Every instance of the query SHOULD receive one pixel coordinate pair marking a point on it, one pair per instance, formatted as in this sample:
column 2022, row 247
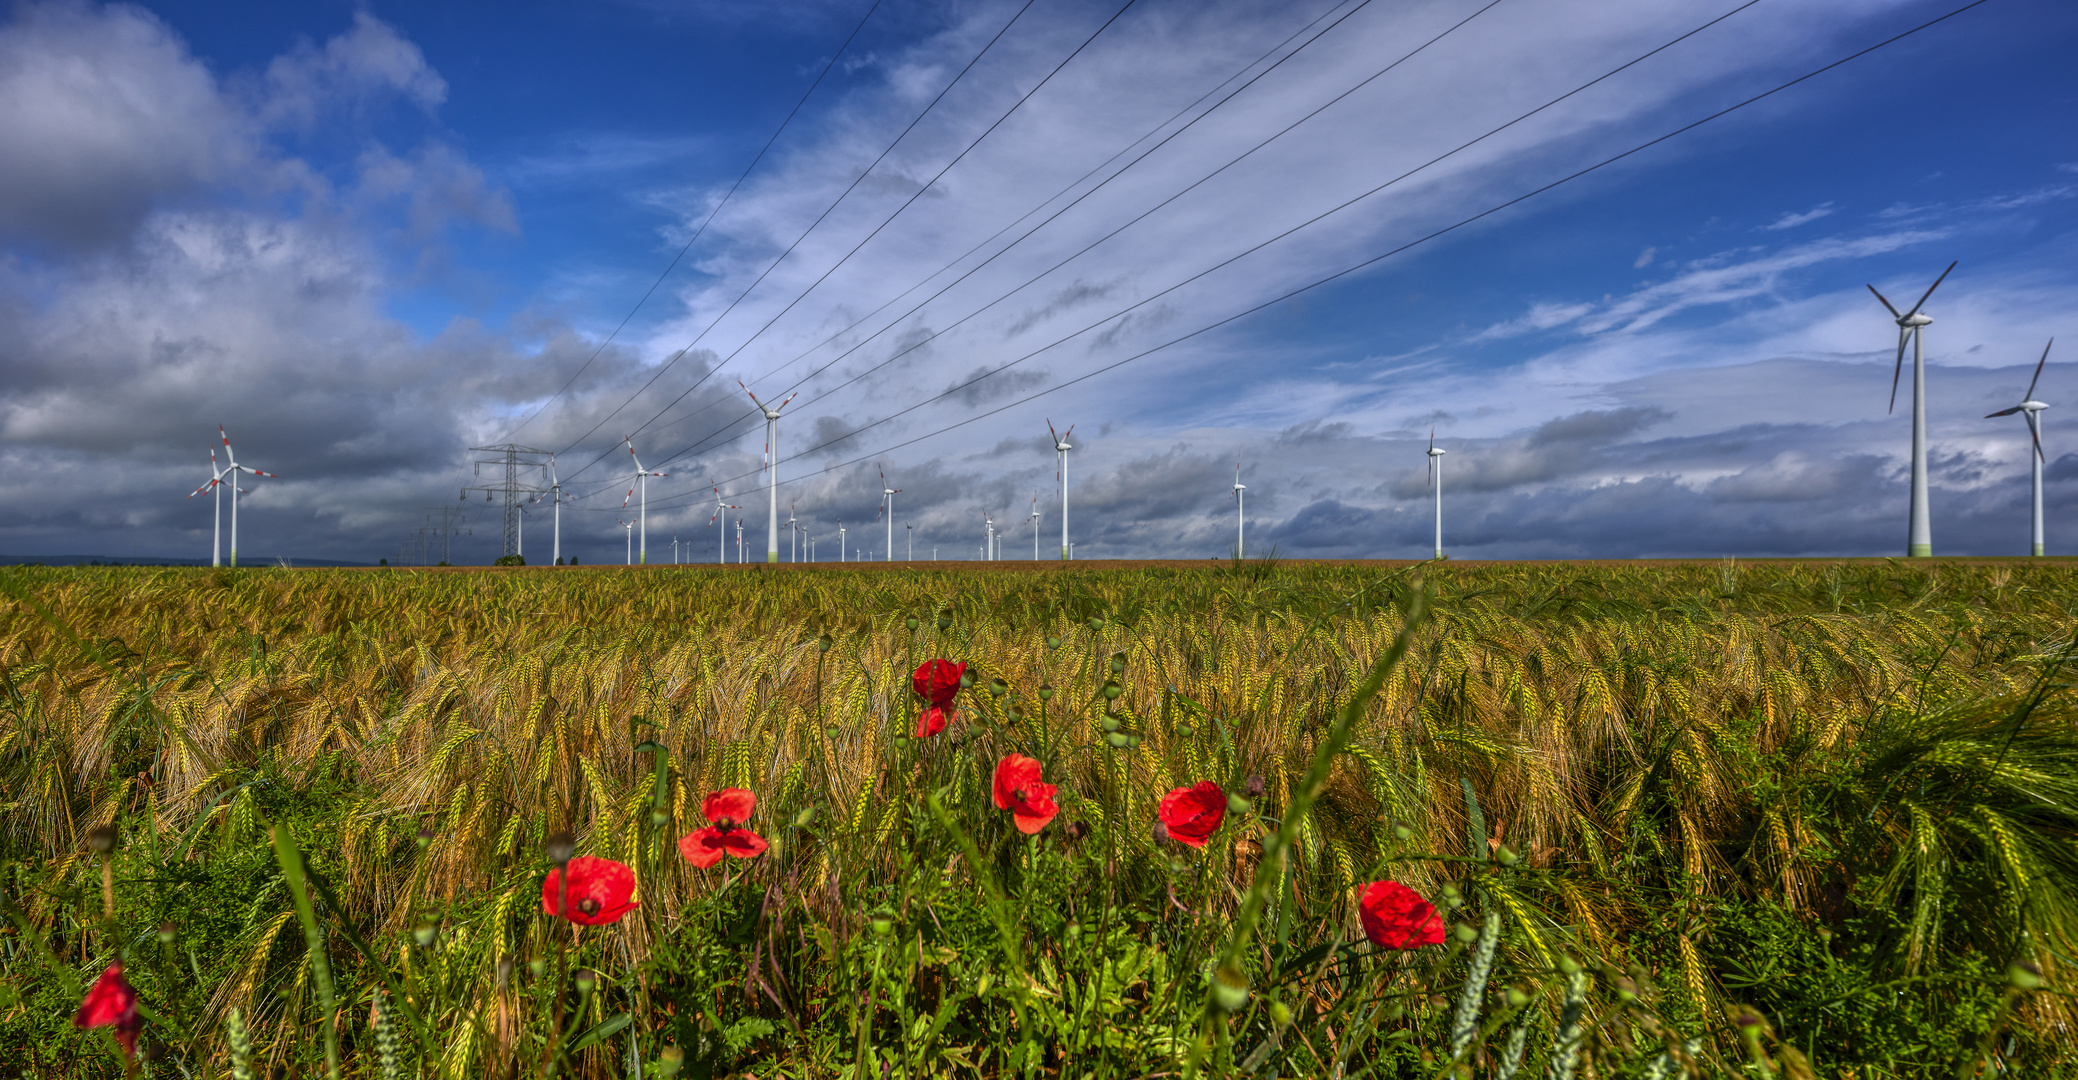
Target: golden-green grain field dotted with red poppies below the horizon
column 1688, row 819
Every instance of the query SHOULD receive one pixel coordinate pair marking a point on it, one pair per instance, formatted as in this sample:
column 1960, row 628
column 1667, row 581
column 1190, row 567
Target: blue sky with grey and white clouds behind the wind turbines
column 1298, row 238
